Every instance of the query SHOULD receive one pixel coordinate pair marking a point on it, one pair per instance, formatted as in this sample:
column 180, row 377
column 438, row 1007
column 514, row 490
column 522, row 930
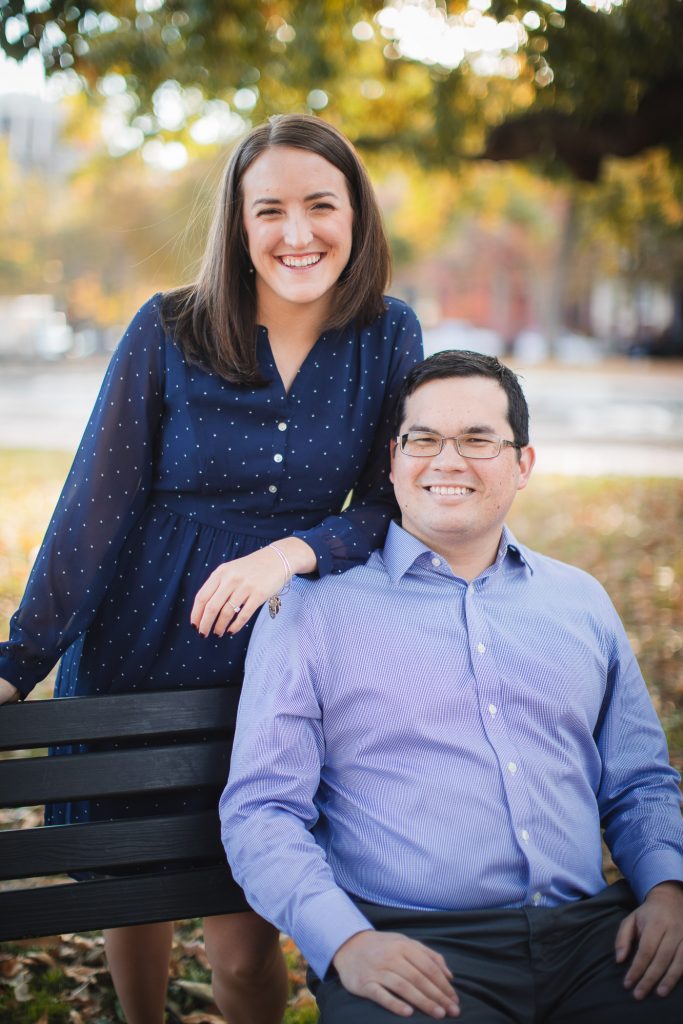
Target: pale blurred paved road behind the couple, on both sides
column 622, row 418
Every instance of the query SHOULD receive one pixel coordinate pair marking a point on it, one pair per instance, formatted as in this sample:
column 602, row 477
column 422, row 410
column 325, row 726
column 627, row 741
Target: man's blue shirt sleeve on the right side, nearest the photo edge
column 639, row 796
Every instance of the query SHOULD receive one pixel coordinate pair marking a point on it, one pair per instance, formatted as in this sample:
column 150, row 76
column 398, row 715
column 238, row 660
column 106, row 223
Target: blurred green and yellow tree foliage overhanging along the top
column 614, row 77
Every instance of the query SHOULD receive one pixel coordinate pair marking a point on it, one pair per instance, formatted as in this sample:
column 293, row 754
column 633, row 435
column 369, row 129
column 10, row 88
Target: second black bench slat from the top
column 25, row 782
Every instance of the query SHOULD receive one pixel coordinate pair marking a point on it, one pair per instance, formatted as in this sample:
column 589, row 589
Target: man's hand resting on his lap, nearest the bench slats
column 399, row 973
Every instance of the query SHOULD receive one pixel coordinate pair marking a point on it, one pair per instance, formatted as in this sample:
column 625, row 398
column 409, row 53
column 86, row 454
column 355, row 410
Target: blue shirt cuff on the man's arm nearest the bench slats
column 324, row 924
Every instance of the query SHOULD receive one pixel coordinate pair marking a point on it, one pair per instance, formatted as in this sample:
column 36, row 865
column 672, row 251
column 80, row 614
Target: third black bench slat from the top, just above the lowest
column 93, row 846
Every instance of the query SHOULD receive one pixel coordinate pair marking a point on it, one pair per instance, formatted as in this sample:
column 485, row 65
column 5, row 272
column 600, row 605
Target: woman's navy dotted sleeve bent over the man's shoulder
column 347, row 540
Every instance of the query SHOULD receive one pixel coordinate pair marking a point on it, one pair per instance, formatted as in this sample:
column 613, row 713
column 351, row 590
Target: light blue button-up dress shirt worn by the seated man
column 424, row 743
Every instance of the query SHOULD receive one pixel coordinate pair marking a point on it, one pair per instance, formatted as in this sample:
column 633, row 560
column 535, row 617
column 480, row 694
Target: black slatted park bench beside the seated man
column 194, row 733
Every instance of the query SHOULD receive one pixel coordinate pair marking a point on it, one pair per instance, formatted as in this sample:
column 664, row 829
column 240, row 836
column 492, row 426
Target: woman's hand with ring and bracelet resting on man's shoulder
column 236, row 590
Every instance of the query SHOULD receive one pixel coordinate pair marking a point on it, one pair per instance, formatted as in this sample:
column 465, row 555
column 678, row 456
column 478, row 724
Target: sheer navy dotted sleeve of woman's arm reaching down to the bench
column 104, row 496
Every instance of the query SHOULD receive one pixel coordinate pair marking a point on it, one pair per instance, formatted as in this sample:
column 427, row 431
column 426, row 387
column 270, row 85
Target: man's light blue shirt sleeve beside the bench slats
column 268, row 808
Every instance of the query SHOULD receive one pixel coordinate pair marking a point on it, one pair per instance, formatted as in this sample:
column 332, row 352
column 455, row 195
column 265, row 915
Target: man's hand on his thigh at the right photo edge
column 657, row 926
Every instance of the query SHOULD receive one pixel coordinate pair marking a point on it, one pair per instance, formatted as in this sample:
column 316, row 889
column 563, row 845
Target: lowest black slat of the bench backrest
column 115, row 903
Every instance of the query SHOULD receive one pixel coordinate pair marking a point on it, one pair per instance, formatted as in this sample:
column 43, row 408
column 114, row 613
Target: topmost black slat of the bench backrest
column 36, row 723
